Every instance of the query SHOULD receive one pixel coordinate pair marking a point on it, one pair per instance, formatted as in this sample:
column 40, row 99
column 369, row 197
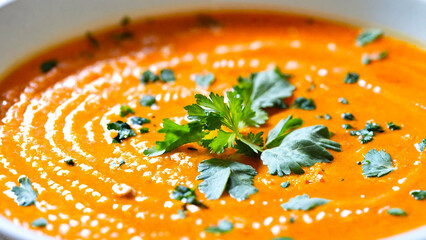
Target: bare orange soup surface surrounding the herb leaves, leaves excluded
column 63, row 113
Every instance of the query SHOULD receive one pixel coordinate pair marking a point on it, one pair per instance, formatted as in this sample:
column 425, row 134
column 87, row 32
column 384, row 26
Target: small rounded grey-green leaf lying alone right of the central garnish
column 377, row 164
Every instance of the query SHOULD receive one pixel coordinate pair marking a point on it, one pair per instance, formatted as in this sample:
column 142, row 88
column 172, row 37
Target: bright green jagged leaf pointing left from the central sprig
column 176, row 135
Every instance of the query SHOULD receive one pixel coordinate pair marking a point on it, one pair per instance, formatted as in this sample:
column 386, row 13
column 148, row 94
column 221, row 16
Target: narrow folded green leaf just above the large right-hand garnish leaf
column 280, row 131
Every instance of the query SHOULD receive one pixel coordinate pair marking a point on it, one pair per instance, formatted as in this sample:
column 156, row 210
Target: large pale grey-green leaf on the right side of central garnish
column 301, row 148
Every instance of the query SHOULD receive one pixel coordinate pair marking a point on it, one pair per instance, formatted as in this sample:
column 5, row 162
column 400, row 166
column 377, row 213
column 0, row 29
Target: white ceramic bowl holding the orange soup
column 30, row 26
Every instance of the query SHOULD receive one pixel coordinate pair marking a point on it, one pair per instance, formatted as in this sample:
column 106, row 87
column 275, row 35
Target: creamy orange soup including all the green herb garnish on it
column 228, row 125
